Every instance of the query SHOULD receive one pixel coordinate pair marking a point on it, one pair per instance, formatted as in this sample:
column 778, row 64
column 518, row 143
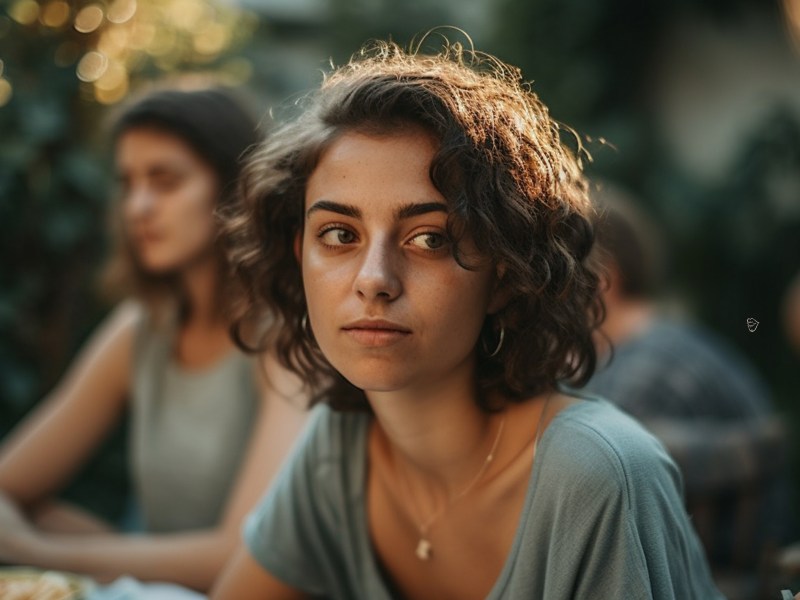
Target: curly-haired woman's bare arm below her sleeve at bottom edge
column 244, row 579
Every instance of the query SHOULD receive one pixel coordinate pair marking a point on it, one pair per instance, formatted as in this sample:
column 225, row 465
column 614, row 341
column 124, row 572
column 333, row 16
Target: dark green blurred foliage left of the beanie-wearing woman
column 53, row 191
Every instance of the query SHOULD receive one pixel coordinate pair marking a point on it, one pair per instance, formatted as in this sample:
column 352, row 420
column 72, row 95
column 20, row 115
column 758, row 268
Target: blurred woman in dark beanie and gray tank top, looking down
column 209, row 424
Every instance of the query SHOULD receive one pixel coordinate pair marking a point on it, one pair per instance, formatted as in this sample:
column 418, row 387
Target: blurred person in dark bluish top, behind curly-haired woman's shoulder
column 697, row 394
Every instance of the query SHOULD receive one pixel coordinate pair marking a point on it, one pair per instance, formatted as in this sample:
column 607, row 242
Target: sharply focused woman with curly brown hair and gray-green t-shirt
column 424, row 236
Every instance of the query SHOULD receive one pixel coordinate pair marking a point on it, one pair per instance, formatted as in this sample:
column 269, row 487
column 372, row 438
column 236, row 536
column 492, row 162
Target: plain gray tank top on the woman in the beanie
column 189, row 432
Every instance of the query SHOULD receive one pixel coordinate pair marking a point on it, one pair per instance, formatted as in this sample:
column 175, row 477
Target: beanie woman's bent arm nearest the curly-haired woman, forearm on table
column 192, row 558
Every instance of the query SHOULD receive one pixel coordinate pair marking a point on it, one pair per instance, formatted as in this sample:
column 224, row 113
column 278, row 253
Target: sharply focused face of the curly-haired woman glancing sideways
column 388, row 304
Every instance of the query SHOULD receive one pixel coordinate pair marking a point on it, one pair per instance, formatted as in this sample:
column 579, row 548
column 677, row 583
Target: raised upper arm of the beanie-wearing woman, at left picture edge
column 46, row 449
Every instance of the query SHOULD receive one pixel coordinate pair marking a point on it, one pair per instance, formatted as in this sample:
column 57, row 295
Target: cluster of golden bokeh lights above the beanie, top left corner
column 114, row 43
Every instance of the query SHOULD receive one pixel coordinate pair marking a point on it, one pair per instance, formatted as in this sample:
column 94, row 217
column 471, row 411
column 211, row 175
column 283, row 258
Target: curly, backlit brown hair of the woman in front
column 512, row 186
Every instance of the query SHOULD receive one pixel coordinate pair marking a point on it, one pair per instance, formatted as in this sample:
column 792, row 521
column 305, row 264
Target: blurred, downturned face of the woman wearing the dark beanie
column 168, row 197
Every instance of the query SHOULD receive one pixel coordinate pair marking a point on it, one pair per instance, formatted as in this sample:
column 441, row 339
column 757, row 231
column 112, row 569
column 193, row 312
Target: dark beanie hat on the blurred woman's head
column 211, row 121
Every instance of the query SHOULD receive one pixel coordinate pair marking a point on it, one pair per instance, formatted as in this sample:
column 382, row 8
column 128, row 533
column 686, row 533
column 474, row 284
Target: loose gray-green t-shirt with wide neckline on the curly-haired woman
column 603, row 516
